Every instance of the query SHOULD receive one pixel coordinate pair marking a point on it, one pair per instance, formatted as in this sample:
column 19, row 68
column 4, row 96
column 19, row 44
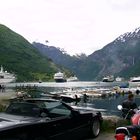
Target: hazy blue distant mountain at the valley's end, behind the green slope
column 80, row 66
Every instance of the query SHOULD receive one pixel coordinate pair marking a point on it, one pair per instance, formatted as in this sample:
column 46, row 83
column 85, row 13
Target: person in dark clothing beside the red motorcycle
column 129, row 106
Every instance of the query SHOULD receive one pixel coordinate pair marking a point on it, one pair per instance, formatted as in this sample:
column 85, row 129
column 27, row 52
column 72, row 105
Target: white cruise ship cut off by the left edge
column 6, row 77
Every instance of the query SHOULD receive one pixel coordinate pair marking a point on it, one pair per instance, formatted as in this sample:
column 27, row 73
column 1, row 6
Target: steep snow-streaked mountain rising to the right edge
column 120, row 57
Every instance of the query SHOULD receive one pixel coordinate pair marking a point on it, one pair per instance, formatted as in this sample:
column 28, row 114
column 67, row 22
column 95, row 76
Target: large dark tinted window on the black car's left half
column 23, row 109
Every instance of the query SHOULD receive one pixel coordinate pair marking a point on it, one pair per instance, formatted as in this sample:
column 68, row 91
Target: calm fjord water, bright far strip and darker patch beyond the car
column 107, row 106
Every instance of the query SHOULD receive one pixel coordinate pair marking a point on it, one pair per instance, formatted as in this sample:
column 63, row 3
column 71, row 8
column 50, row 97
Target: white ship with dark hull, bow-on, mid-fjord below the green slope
column 59, row 77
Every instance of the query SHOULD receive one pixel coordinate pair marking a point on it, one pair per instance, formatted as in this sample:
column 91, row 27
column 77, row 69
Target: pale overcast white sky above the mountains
column 77, row 26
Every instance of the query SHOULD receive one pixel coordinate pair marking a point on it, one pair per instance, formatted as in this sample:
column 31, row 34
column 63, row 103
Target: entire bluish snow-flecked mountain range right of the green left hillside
column 120, row 58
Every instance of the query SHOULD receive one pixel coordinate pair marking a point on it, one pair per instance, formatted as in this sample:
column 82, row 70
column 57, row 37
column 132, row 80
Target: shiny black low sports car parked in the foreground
column 47, row 119
